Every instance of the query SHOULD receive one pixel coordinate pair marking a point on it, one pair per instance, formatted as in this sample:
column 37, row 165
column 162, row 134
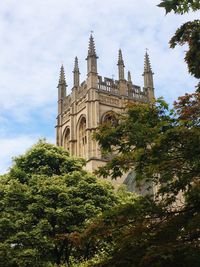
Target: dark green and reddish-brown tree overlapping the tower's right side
column 163, row 147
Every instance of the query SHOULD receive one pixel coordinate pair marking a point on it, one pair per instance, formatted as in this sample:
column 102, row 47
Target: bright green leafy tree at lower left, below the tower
column 46, row 198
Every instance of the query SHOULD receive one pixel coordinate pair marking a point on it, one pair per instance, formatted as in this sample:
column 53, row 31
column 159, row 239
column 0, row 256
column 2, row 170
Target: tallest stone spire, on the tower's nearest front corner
column 91, row 57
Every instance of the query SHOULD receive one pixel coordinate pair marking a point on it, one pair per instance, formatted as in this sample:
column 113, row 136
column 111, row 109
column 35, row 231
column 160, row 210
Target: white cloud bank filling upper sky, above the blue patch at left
column 37, row 35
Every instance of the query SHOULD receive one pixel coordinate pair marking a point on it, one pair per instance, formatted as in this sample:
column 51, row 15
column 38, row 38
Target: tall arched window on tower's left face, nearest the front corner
column 82, row 137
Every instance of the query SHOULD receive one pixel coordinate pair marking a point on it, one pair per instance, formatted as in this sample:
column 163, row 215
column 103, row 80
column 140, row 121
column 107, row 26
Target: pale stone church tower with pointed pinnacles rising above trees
column 93, row 101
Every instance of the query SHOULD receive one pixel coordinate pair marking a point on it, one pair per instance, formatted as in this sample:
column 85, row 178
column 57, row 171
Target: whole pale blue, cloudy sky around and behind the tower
column 36, row 37
